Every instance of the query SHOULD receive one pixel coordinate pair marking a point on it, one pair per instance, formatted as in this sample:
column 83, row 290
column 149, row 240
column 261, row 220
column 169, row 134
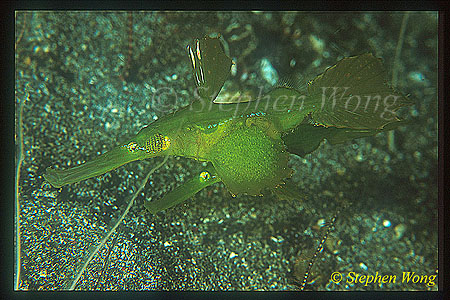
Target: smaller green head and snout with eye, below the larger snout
column 183, row 192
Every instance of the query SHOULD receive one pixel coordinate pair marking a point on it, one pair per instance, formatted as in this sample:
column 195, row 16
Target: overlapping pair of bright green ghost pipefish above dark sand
column 247, row 144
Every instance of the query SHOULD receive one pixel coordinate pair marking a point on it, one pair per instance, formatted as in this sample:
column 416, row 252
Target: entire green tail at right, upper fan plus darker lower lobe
column 349, row 100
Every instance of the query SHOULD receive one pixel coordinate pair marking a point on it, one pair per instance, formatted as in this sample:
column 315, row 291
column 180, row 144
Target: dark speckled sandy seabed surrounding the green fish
column 86, row 81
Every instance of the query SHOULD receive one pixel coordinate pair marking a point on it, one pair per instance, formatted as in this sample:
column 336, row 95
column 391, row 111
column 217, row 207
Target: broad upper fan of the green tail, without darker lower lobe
column 354, row 94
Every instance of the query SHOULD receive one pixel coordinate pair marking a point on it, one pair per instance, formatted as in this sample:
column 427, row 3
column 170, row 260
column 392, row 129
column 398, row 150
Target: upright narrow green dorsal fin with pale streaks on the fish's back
column 211, row 66
